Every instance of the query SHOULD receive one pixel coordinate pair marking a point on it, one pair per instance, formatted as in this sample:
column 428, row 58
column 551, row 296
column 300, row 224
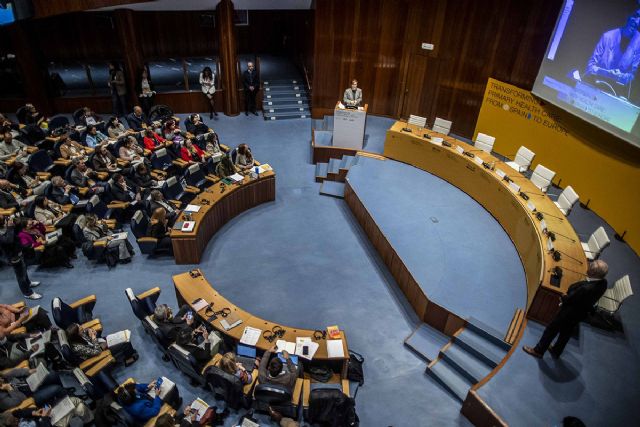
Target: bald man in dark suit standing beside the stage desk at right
column 574, row 307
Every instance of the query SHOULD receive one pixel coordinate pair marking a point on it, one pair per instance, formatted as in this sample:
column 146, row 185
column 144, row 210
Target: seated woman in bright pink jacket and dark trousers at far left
column 55, row 254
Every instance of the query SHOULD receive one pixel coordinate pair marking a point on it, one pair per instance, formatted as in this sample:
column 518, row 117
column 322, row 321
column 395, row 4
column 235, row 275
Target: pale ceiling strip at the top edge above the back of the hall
column 164, row 5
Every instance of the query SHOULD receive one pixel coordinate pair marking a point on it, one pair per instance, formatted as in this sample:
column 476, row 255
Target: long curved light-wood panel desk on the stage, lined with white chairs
column 508, row 207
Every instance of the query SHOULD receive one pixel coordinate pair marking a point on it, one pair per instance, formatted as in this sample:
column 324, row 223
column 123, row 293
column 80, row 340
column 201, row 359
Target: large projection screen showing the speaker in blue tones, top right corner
column 591, row 64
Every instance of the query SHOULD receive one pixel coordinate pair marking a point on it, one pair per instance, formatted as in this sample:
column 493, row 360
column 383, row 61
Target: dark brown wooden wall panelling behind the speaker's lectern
column 379, row 43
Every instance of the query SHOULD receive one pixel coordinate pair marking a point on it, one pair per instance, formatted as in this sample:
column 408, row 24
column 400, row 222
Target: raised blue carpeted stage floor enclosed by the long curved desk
column 449, row 243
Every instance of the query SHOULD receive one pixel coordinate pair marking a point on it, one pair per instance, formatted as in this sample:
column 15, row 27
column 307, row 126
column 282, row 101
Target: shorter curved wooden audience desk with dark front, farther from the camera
column 216, row 209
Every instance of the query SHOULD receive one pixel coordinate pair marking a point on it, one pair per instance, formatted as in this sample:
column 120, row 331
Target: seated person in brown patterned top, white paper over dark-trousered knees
column 85, row 344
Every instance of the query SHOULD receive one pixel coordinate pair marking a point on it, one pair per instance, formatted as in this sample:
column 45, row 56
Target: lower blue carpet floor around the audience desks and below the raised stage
column 304, row 261
